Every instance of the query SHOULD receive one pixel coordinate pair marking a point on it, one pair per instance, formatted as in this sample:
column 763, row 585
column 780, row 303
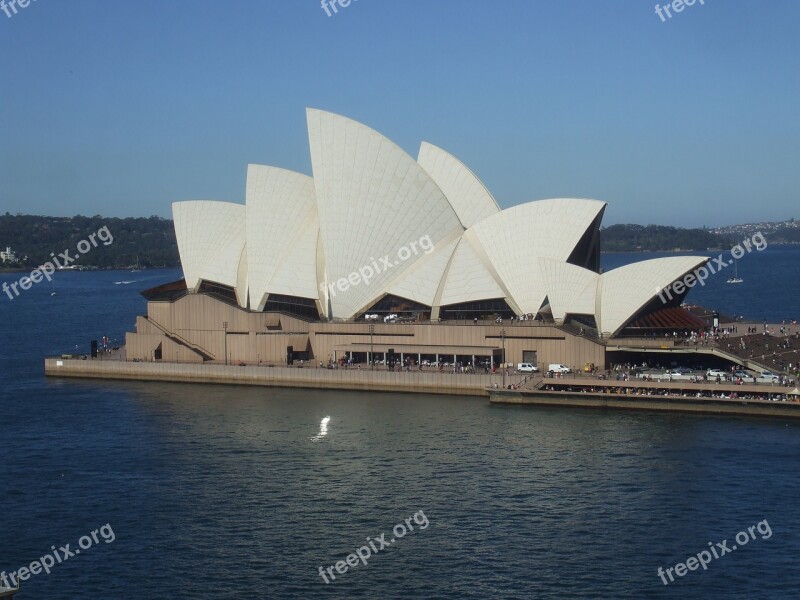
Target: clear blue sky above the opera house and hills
column 120, row 108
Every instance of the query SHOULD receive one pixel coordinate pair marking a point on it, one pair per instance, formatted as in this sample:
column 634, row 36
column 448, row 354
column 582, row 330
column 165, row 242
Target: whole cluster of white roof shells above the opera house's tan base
column 297, row 241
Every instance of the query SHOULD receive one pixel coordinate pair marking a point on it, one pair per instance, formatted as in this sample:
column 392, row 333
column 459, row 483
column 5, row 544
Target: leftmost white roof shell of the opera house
column 211, row 240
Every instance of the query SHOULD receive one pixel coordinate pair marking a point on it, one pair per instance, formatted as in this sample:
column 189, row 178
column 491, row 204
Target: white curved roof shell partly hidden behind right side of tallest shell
column 466, row 193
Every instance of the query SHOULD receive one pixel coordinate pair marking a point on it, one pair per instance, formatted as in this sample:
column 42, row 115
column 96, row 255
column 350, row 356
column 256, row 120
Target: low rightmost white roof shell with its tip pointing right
column 623, row 292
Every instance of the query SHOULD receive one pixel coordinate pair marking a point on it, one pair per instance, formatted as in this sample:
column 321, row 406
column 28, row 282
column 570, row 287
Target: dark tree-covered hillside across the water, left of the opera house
column 150, row 240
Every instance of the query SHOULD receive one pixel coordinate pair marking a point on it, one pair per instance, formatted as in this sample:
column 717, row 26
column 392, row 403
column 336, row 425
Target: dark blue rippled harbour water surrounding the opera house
column 236, row 492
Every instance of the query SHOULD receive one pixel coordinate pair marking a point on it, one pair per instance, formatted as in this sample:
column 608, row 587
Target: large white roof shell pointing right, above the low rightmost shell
column 516, row 238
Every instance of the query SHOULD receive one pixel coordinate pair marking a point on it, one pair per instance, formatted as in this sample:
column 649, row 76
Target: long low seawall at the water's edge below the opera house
column 425, row 383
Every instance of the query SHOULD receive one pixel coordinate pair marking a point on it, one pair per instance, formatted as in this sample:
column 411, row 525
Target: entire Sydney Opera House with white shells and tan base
column 378, row 253
